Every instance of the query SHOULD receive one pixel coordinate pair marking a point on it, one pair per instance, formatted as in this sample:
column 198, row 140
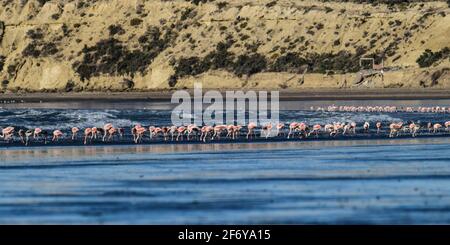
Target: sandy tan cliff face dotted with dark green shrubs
column 63, row 45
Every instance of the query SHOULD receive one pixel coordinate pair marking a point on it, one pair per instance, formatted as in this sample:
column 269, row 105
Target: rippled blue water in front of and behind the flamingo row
column 384, row 181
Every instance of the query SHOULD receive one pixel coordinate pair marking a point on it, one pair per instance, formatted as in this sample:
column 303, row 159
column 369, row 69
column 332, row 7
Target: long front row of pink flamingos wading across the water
column 109, row 133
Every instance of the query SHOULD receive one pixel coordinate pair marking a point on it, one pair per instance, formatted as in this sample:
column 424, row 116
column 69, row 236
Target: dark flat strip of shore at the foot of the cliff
column 285, row 95
